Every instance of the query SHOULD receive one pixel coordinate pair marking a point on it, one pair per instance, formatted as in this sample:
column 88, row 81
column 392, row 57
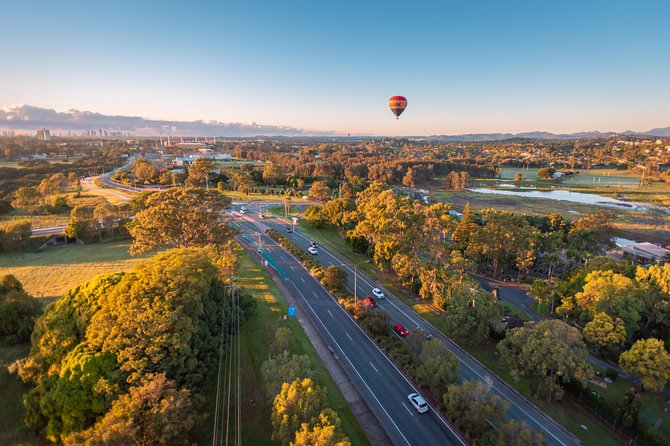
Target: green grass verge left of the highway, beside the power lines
column 256, row 410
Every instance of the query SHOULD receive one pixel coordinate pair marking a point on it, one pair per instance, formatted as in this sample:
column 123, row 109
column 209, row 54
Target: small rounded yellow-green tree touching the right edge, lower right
column 649, row 360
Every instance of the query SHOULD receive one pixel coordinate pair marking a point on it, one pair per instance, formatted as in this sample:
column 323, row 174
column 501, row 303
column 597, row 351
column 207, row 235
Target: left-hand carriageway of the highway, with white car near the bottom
column 382, row 385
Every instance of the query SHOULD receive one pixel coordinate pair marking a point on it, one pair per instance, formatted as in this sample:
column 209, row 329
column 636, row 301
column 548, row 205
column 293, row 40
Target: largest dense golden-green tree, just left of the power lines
column 165, row 316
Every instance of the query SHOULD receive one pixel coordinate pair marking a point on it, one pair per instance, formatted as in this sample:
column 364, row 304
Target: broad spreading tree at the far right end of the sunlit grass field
column 180, row 217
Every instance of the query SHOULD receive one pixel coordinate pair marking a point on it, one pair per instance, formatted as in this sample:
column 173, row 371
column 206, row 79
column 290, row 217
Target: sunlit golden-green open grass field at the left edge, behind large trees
column 52, row 272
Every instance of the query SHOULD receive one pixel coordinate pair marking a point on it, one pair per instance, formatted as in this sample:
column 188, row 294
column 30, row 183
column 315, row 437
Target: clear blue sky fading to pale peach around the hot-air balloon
column 464, row 66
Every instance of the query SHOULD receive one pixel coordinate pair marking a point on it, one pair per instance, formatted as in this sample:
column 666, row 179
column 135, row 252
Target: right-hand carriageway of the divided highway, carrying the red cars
column 520, row 408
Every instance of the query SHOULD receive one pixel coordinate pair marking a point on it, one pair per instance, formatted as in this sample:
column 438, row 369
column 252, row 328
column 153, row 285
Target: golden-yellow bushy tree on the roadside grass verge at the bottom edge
column 298, row 402
